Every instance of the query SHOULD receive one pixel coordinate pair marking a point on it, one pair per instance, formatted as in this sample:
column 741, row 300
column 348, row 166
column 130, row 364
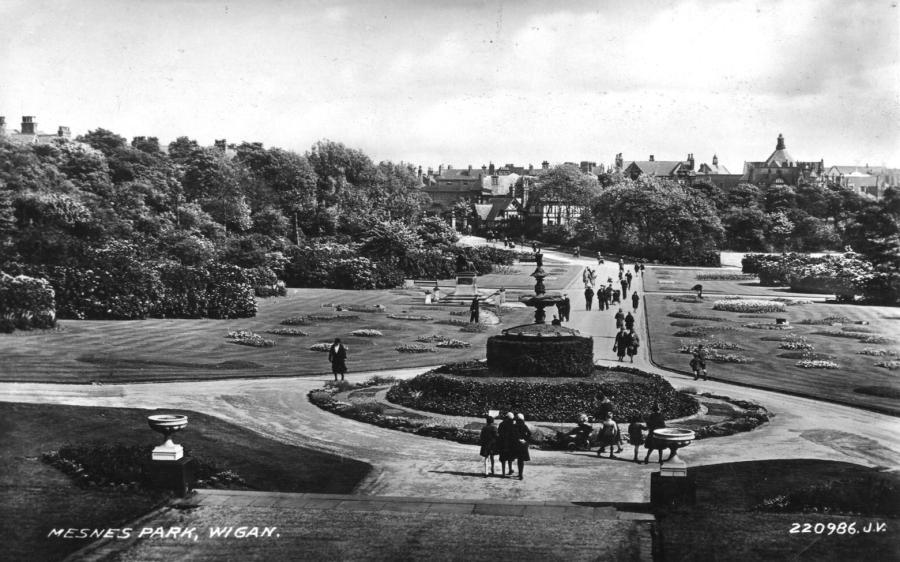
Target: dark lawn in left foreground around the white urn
column 35, row 497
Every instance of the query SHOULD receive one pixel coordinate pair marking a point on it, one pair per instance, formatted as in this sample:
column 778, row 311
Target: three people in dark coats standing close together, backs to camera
column 507, row 440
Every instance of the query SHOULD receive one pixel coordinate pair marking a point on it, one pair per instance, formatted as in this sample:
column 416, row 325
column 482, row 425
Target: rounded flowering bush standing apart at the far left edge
column 26, row 303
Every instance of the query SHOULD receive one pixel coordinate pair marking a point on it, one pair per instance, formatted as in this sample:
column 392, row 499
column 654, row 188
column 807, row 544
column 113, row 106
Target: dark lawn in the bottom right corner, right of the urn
column 722, row 526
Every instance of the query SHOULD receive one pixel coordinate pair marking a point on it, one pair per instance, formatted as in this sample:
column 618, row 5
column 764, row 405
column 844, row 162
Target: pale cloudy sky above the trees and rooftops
column 469, row 82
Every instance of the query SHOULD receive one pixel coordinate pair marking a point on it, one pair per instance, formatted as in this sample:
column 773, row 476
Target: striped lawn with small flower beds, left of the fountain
column 162, row 349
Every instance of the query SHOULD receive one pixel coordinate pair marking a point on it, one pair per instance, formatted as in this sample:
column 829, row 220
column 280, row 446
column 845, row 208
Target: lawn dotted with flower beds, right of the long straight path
column 857, row 380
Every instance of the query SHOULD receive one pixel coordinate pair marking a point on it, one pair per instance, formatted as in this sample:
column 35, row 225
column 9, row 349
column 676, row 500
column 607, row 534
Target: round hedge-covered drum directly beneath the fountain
column 541, row 350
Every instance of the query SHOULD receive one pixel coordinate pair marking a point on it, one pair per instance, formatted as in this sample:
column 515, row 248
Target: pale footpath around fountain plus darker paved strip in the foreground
column 426, row 497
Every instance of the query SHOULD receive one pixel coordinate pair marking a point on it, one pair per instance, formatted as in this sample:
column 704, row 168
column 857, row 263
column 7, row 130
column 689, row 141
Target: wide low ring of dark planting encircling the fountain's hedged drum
column 471, row 389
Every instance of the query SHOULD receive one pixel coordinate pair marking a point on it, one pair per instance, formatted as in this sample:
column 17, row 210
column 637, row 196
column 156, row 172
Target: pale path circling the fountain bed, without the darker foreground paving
column 408, row 465
